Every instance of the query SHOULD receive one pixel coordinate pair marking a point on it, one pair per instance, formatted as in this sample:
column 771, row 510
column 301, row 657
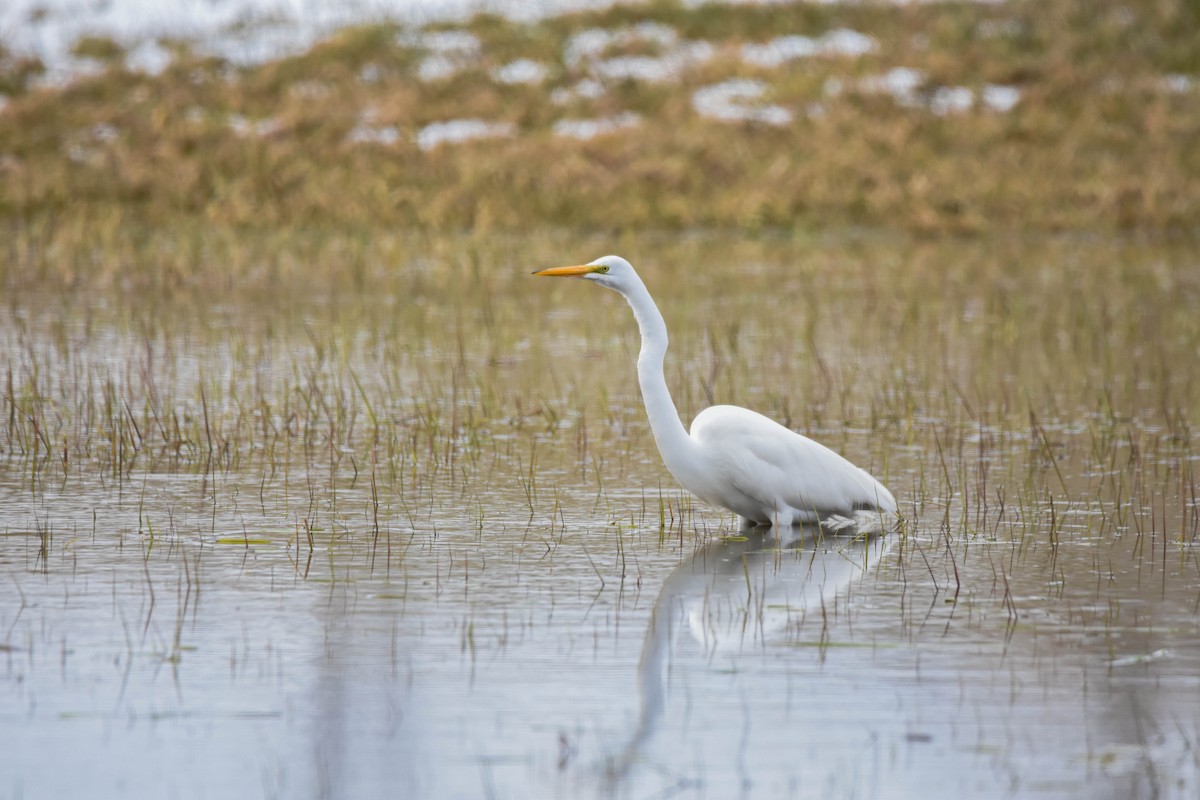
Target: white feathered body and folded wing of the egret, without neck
column 763, row 468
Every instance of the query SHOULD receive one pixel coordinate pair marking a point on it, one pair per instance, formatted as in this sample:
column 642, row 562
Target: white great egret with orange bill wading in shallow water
column 735, row 459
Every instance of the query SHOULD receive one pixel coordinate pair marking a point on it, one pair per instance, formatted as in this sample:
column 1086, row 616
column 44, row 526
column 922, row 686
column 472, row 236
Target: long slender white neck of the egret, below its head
column 670, row 436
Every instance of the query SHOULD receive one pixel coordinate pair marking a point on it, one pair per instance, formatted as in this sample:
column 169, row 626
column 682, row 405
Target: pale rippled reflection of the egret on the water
column 806, row 556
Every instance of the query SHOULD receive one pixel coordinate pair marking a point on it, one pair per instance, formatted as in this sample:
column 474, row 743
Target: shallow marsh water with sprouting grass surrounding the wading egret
column 415, row 540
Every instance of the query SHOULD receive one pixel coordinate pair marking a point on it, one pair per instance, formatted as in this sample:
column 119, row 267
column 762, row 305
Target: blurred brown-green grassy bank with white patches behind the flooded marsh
column 1101, row 134
